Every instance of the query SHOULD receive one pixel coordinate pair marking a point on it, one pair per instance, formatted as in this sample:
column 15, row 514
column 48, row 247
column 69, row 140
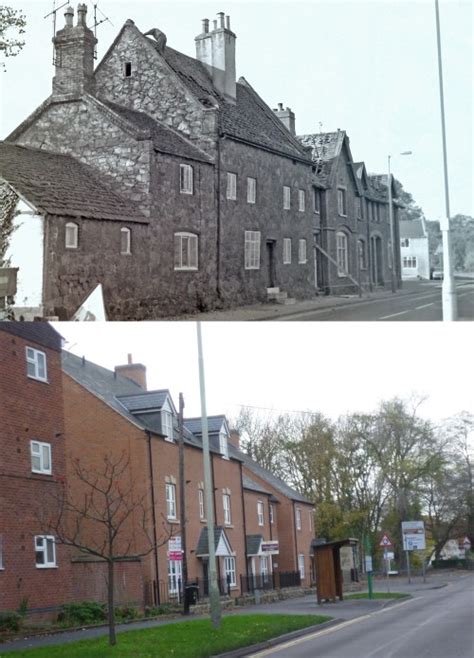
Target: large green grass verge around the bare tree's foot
column 191, row 639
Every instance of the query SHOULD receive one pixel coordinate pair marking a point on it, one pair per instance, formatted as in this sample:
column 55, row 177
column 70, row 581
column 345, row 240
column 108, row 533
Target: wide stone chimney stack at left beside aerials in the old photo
column 74, row 55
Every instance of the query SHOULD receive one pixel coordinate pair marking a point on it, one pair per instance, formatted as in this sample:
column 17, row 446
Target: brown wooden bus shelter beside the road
column 327, row 560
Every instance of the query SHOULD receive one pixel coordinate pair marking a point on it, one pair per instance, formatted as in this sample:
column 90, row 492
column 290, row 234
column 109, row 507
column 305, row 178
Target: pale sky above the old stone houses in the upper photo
column 365, row 66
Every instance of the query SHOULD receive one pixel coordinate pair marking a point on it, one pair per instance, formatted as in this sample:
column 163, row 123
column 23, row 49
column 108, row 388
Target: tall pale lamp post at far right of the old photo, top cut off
column 448, row 289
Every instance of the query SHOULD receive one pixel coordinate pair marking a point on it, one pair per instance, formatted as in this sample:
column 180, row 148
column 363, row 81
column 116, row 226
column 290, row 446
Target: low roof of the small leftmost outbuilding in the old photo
column 60, row 185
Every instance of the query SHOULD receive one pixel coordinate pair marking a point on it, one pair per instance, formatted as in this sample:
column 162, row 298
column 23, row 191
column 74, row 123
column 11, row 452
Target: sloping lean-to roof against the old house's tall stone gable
column 164, row 139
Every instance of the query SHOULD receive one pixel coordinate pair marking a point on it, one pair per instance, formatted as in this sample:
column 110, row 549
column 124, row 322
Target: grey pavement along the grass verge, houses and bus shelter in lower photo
column 341, row 611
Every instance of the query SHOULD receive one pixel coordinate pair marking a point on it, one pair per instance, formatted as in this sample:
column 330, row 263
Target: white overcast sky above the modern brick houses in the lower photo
column 333, row 368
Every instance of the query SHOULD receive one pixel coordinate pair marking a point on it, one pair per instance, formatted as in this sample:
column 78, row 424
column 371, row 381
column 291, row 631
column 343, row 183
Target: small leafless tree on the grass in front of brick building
column 99, row 513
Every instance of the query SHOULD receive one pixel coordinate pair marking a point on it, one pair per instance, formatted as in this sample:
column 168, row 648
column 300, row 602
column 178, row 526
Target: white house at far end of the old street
column 414, row 249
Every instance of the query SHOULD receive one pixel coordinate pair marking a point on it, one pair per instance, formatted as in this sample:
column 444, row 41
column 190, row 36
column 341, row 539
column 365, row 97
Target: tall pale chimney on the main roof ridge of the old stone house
column 216, row 50
